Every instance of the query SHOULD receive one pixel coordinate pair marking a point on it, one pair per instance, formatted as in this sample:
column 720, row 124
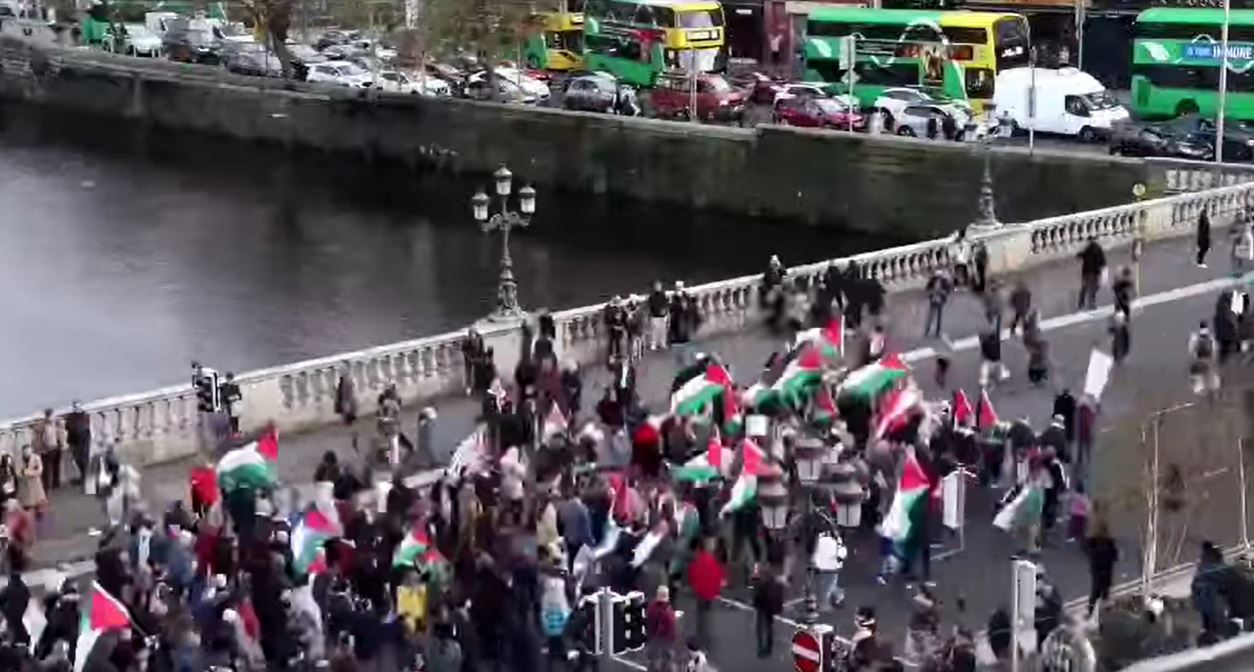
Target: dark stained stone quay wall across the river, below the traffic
column 905, row 187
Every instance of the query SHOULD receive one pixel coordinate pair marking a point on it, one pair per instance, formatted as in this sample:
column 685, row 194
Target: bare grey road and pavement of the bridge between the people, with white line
column 1182, row 297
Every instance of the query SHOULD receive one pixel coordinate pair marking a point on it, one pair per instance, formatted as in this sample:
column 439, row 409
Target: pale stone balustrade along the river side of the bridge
column 164, row 424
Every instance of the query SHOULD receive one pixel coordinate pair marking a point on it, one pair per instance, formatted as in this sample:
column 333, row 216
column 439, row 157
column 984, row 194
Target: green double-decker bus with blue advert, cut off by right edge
column 1177, row 57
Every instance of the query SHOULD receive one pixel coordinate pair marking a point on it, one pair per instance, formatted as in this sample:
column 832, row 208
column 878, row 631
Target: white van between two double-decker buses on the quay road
column 1068, row 102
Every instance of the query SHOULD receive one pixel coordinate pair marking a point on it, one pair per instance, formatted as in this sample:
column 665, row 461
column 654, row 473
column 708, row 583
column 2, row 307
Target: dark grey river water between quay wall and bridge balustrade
column 122, row 260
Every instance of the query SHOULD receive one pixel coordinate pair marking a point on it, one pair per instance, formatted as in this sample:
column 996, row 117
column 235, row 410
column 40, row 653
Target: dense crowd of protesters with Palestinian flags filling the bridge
column 545, row 503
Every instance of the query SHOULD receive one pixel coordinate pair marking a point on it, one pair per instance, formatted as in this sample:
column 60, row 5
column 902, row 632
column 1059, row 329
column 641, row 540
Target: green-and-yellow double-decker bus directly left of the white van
column 912, row 48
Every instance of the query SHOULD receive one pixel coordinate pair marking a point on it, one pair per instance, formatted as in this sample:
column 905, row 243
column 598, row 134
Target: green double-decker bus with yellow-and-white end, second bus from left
column 639, row 39
